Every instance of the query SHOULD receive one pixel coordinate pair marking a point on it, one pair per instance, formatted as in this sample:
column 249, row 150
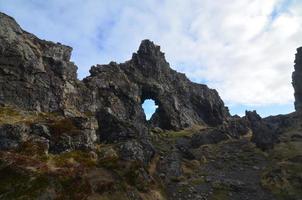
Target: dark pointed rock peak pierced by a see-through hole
column 123, row 88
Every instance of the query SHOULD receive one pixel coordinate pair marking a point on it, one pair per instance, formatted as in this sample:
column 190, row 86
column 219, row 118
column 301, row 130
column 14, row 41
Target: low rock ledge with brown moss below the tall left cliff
column 63, row 135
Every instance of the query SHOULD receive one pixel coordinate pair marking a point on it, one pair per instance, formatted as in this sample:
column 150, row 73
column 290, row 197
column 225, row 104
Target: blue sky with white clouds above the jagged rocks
column 243, row 48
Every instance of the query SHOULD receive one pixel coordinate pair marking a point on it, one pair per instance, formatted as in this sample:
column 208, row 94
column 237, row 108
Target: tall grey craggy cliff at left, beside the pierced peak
column 35, row 74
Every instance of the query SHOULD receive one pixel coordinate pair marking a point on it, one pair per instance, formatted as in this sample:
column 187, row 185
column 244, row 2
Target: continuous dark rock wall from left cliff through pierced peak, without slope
column 38, row 75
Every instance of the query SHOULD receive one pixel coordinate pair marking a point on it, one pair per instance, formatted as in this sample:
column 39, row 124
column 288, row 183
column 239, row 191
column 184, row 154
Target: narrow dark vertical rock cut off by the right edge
column 297, row 80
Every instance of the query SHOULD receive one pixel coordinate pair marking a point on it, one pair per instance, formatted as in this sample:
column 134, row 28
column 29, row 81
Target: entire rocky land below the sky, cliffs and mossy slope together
column 65, row 138
